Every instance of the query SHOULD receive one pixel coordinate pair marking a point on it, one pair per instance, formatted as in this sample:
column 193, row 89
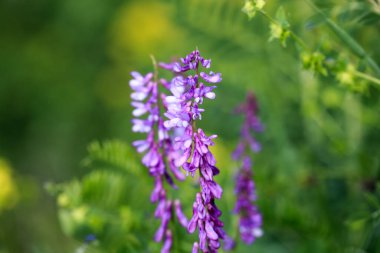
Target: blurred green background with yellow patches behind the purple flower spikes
column 64, row 73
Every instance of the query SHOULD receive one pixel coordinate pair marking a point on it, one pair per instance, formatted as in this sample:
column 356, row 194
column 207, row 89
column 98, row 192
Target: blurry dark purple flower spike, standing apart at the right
column 250, row 219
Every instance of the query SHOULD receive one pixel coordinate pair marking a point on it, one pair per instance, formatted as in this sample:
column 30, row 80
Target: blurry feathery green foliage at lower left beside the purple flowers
column 104, row 202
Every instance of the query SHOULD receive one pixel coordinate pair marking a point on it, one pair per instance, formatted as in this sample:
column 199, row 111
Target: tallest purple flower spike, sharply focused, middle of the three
column 183, row 108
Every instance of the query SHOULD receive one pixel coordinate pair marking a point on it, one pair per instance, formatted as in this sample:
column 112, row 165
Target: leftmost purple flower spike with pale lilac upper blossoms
column 157, row 146
